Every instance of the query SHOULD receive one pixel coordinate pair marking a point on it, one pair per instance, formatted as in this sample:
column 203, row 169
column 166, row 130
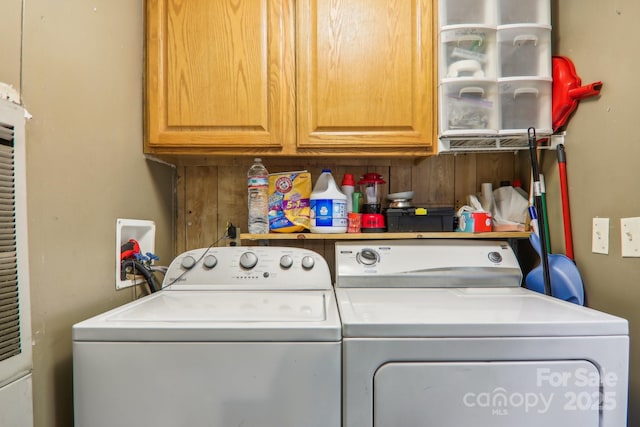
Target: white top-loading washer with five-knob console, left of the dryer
column 238, row 336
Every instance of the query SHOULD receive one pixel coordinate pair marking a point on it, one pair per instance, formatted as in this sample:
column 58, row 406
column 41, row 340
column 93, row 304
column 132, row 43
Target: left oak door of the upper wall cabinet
column 219, row 76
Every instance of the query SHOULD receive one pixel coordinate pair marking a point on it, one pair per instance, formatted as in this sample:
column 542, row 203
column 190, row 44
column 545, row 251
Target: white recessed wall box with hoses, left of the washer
column 144, row 232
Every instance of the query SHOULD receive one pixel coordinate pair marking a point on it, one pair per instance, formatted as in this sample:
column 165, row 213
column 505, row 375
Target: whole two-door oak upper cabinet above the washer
column 290, row 77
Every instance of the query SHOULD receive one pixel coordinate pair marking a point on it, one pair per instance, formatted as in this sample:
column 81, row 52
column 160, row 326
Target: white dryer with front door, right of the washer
column 440, row 333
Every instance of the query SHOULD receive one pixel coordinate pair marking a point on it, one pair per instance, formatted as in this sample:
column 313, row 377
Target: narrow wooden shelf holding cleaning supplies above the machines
column 370, row 236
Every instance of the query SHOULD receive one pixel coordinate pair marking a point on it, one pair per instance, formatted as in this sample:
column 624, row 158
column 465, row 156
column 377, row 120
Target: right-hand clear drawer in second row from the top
column 524, row 50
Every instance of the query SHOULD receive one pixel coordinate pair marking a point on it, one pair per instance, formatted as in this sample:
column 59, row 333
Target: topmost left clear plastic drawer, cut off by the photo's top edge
column 475, row 12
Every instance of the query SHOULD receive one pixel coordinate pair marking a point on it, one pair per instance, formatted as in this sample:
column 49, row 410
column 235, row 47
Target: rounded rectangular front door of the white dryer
column 497, row 394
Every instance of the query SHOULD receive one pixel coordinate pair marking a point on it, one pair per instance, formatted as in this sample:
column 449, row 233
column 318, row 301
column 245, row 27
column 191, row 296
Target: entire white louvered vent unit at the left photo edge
column 16, row 361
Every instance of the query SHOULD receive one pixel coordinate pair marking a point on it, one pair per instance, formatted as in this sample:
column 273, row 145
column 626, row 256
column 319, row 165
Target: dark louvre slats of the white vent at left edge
column 10, row 344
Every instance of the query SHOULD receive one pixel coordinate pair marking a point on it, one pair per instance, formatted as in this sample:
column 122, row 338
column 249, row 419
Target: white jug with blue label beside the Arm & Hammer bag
column 328, row 206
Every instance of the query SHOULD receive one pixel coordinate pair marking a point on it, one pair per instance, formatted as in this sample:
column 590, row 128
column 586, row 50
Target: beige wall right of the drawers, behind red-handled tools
column 603, row 155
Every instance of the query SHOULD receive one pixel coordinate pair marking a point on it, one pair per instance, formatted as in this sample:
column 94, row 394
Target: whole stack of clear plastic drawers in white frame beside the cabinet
column 494, row 69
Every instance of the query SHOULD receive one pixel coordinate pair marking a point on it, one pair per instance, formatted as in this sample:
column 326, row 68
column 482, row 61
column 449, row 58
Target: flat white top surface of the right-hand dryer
column 467, row 312
